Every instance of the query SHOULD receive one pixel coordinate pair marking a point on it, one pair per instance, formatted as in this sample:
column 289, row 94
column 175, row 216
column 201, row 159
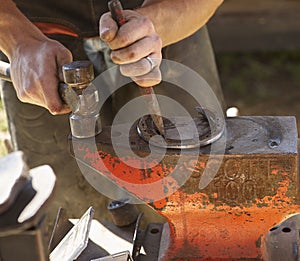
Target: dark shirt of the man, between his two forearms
column 82, row 16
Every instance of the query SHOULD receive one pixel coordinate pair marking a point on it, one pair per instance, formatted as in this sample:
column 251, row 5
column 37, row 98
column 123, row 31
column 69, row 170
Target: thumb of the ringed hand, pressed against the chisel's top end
column 108, row 28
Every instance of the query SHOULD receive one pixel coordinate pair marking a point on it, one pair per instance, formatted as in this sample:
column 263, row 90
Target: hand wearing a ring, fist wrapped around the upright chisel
column 131, row 44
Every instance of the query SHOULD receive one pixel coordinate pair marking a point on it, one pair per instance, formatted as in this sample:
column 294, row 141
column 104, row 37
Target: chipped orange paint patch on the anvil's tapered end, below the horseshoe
column 123, row 174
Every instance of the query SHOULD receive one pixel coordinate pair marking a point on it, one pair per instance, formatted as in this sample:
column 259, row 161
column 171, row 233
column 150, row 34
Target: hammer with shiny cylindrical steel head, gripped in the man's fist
column 78, row 93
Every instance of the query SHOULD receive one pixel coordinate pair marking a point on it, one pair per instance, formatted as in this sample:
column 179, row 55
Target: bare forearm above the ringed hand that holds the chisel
column 175, row 20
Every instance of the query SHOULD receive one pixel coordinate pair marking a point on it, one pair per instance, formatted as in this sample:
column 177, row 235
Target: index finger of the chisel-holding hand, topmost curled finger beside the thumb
column 126, row 35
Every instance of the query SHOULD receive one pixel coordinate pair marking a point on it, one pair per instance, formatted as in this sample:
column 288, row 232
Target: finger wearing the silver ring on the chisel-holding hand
column 142, row 66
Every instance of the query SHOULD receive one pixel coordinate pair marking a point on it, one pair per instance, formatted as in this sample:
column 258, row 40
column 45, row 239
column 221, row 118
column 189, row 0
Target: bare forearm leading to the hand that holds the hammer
column 15, row 28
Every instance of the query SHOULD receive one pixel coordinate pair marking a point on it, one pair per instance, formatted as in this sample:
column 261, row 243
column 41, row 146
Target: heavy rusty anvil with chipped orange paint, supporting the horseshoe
column 229, row 207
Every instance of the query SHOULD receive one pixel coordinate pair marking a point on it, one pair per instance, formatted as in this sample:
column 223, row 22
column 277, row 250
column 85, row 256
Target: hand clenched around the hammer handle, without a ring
column 36, row 71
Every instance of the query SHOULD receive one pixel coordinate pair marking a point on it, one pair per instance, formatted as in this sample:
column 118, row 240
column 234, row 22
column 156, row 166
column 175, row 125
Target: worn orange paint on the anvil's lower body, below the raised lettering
column 204, row 231
